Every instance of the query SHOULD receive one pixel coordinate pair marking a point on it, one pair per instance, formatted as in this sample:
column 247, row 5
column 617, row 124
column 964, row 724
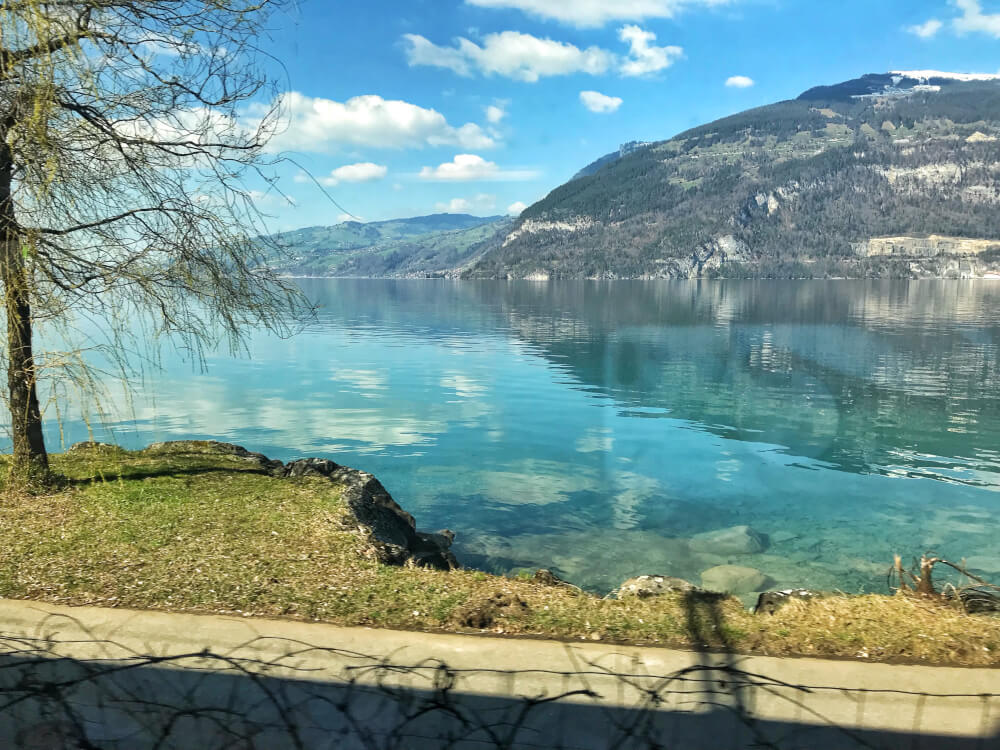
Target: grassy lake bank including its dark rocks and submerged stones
column 212, row 528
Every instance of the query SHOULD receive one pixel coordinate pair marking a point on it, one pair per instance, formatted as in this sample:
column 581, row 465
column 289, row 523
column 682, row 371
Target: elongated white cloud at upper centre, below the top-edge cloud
column 511, row 54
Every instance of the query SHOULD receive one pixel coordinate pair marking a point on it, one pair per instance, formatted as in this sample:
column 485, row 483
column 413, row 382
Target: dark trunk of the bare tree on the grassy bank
column 30, row 459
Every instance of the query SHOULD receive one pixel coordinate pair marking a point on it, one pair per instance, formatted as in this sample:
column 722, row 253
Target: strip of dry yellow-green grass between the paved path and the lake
column 209, row 533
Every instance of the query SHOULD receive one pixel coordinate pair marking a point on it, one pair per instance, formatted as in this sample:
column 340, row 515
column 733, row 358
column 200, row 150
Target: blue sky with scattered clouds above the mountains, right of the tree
column 409, row 107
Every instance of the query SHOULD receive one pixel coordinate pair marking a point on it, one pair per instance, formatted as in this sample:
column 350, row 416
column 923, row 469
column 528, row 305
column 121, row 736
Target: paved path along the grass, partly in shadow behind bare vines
column 130, row 680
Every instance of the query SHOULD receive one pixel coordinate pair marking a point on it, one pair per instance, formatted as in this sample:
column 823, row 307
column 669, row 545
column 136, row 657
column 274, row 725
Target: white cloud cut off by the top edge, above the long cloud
column 591, row 13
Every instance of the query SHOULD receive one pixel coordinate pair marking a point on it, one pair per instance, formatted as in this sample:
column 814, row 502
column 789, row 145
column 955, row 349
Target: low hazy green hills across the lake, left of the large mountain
column 419, row 246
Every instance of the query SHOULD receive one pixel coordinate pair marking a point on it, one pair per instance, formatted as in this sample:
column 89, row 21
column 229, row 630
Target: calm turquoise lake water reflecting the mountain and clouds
column 593, row 427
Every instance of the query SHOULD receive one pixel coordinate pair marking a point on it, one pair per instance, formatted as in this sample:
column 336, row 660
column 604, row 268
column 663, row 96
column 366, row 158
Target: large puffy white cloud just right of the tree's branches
column 322, row 125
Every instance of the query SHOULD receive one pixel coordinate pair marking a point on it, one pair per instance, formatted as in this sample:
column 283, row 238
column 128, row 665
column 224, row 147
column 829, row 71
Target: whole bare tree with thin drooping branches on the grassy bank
column 127, row 131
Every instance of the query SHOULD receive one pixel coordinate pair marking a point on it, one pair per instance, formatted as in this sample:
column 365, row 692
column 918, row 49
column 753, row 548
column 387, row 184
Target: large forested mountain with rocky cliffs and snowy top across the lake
column 894, row 174
